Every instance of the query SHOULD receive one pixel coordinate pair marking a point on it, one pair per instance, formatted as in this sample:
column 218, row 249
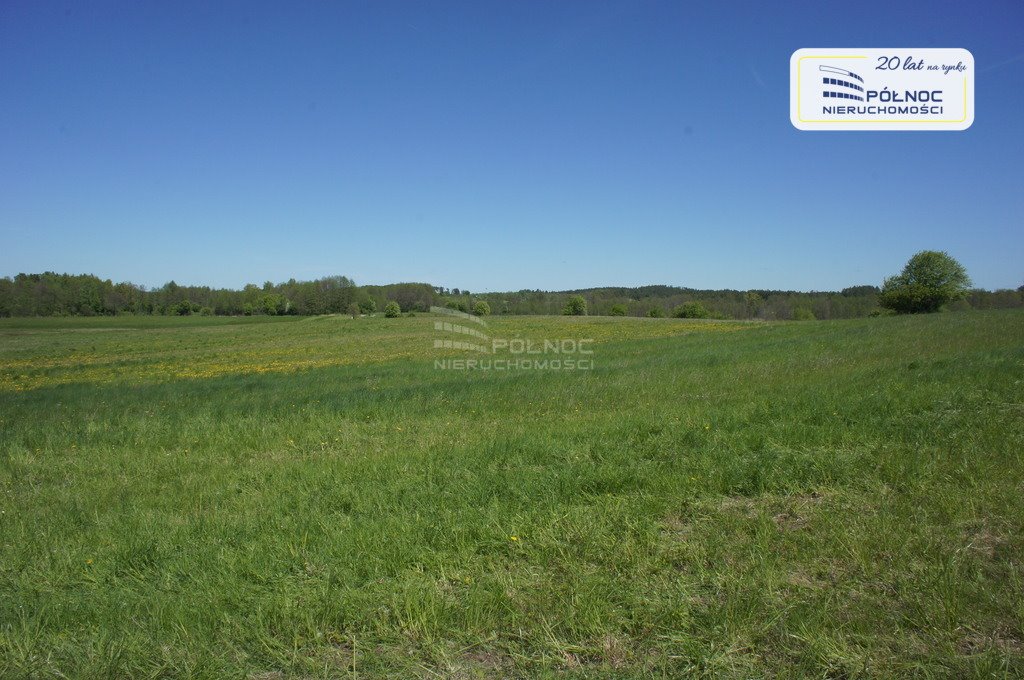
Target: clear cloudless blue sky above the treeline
column 490, row 146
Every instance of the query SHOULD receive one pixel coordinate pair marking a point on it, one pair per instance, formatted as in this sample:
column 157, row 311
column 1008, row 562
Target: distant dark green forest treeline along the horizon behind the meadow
column 53, row 294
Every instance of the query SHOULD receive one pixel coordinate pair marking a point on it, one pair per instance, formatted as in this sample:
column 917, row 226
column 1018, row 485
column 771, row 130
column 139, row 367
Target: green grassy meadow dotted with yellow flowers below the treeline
column 312, row 498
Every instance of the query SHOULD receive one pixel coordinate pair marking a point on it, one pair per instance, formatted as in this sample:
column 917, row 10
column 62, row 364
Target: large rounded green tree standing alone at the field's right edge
column 930, row 280
